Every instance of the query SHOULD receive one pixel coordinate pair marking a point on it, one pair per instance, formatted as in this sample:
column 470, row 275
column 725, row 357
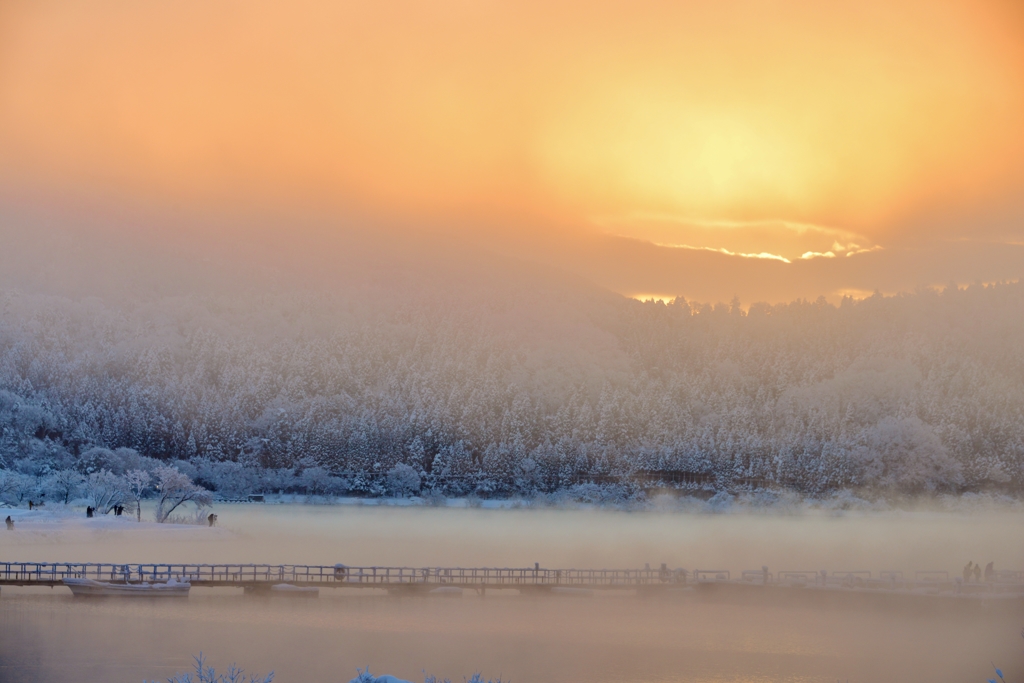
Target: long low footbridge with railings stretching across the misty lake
column 415, row 580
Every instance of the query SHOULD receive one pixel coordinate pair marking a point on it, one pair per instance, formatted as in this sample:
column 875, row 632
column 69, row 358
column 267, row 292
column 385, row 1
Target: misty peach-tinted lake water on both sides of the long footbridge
column 49, row 637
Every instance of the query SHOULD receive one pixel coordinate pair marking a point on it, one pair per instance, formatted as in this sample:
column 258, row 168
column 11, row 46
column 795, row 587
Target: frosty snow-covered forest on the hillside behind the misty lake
column 321, row 395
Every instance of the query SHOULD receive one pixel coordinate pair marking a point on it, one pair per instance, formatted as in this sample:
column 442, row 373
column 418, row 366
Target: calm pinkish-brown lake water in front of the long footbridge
column 51, row 639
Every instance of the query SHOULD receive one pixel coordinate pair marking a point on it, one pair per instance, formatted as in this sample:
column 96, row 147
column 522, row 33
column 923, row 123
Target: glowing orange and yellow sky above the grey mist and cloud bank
column 788, row 132
